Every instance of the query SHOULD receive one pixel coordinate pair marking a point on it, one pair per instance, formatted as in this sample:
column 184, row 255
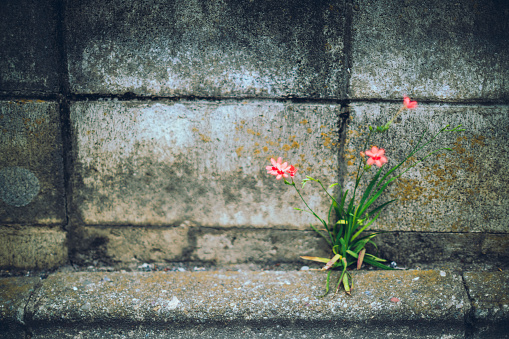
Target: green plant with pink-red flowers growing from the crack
column 345, row 237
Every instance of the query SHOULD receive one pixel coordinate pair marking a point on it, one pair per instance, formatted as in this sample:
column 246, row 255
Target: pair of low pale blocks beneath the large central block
column 125, row 246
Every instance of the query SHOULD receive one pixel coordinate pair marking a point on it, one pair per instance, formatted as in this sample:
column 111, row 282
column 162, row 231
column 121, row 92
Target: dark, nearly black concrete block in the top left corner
column 28, row 47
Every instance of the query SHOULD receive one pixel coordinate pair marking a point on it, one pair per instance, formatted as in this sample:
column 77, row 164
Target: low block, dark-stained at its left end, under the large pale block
column 129, row 245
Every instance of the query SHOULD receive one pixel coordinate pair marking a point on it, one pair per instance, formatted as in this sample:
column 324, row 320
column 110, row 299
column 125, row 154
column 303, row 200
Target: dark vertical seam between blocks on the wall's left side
column 63, row 98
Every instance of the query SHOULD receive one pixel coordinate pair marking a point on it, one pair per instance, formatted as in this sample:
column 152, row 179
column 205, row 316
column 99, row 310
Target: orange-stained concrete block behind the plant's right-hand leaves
column 465, row 190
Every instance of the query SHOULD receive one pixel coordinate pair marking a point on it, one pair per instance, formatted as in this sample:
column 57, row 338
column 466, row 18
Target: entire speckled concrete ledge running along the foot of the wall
column 422, row 304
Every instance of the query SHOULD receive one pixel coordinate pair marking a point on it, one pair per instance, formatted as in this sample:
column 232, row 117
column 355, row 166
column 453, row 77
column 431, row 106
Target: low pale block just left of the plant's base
column 266, row 245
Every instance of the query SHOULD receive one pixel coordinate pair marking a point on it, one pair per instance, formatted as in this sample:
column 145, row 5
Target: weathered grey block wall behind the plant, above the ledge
column 139, row 131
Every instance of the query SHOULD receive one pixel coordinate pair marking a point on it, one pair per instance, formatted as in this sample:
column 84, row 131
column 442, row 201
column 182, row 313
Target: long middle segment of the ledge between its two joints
column 180, row 301
